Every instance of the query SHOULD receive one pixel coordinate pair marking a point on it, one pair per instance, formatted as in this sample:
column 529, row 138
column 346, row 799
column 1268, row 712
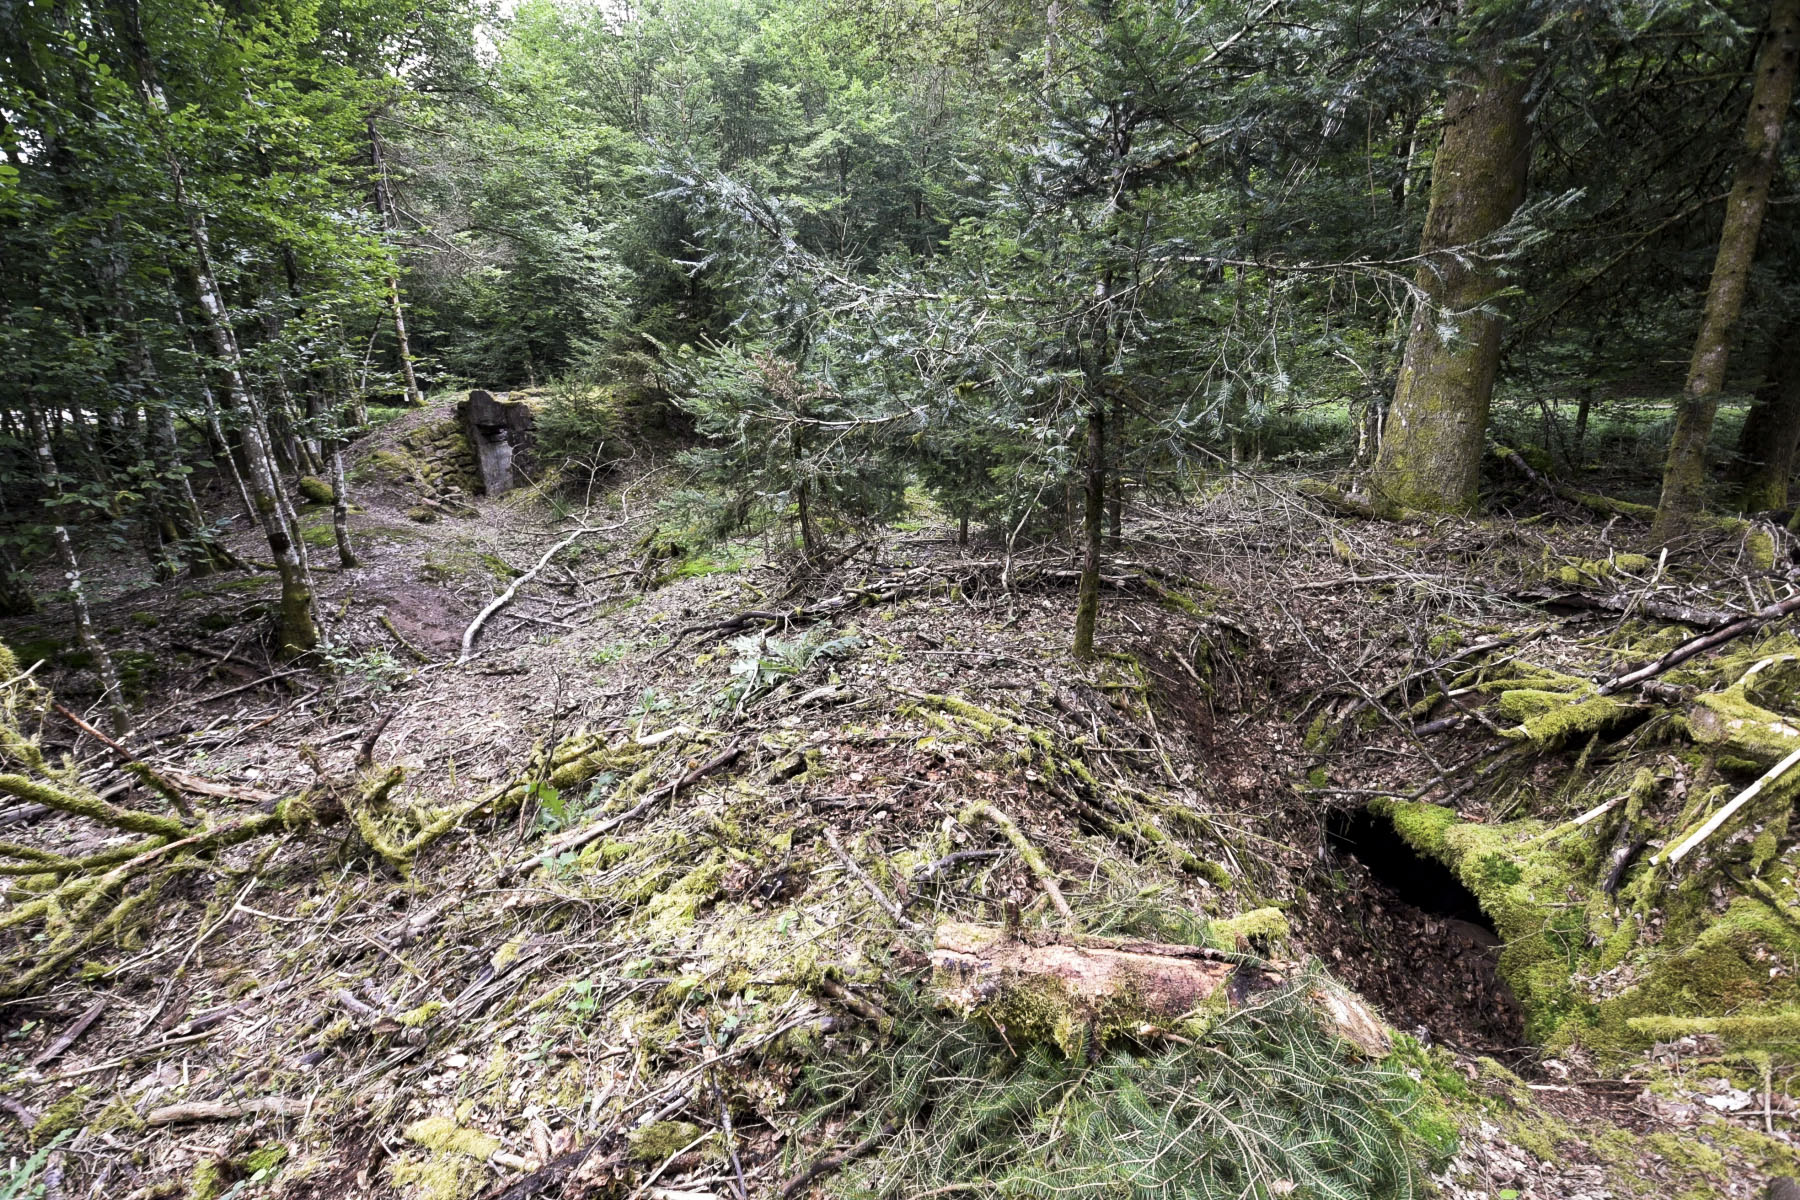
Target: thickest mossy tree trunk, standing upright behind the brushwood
column 1432, row 447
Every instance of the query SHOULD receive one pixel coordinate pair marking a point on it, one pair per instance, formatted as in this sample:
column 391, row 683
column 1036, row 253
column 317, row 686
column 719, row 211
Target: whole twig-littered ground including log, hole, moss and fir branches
column 1369, row 859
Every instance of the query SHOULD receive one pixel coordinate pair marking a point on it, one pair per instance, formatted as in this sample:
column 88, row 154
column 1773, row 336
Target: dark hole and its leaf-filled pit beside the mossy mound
column 1410, row 936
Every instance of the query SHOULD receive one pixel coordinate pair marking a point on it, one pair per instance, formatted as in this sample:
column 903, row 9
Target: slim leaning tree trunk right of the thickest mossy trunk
column 1686, row 470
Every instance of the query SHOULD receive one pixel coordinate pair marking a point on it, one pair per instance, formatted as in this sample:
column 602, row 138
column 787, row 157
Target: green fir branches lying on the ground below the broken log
column 1263, row 1107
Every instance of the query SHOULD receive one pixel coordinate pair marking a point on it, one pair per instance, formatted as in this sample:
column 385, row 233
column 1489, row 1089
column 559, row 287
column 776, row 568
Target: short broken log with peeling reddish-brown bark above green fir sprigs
column 1081, row 992
